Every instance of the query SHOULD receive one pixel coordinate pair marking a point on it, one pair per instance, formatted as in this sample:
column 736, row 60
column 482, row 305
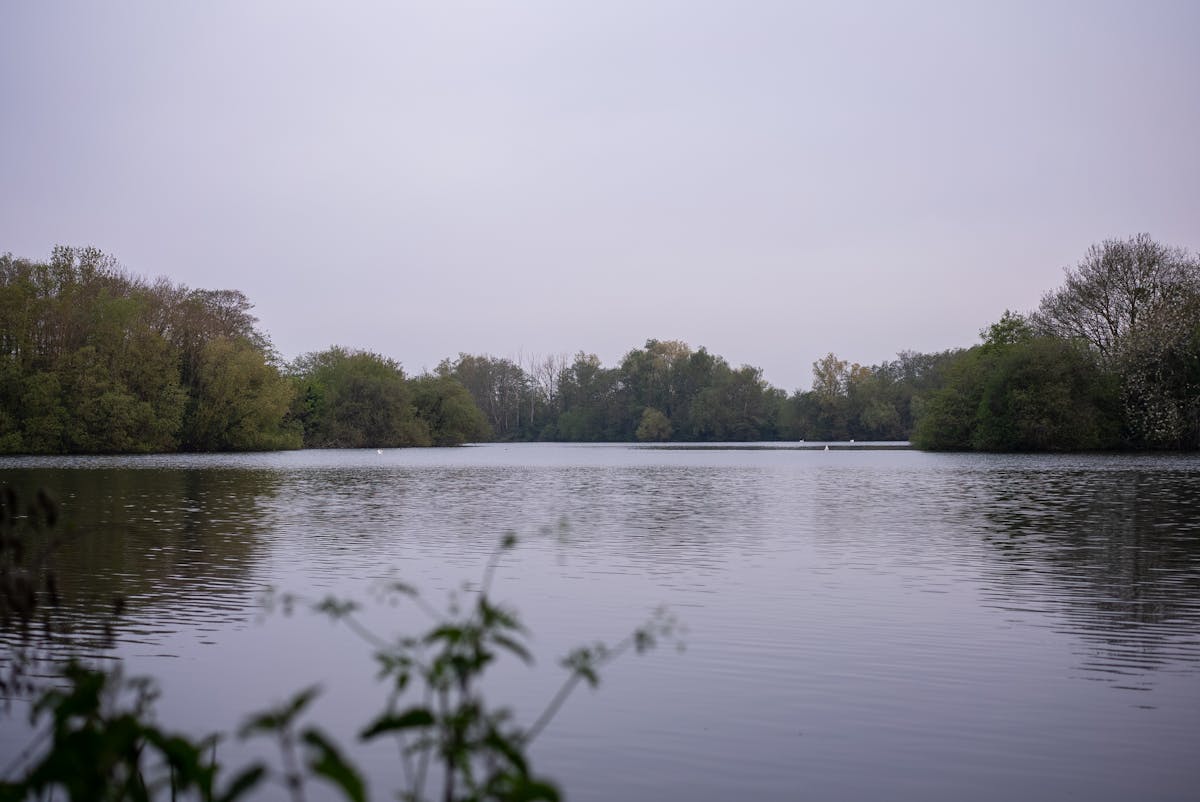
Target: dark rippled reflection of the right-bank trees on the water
column 1115, row 552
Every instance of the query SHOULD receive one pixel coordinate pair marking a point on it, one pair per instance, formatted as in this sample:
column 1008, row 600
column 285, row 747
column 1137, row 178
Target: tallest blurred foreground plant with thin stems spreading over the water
column 435, row 711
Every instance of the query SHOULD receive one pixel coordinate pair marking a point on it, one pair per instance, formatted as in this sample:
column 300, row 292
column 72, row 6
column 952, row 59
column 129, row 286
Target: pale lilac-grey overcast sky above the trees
column 772, row 181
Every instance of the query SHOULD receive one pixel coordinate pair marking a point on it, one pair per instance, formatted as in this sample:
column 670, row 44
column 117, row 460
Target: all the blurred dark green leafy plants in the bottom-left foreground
column 101, row 741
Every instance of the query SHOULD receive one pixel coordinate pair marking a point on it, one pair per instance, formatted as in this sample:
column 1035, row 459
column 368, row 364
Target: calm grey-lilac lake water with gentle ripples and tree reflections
column 862, row 625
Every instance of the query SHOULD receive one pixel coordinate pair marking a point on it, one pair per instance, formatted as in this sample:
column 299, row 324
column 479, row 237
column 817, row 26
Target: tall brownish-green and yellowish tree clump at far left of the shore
column 97, row 361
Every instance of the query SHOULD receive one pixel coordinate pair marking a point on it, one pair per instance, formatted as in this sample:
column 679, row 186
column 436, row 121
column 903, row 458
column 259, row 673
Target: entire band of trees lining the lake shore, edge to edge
column 94, row 361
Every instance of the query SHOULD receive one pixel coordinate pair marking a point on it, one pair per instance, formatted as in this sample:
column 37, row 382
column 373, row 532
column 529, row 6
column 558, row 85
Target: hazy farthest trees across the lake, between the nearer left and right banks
column 667, row 391
